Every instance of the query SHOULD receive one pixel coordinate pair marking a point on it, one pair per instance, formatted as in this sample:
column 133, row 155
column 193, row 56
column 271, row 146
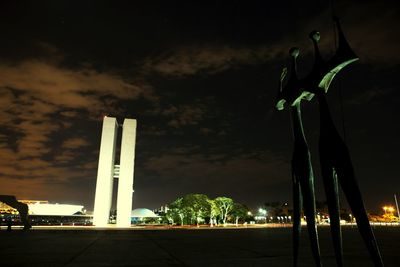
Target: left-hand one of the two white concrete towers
column 105, row 172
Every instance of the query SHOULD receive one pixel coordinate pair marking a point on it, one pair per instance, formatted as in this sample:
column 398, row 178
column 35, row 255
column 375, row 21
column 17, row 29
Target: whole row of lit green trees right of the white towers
column 199, row 209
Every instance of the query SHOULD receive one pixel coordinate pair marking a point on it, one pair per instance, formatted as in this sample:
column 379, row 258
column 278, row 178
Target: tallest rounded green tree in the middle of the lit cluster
column 197, row 205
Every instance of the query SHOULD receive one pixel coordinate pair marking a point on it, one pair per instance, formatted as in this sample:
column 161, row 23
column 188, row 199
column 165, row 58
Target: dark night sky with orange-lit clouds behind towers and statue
column 201, row 79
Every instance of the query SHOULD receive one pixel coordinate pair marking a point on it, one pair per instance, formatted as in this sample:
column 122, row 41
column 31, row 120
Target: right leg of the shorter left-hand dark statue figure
column 307, row 188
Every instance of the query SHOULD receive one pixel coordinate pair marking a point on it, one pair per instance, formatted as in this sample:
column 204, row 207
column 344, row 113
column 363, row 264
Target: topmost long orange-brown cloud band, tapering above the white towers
column 66, row 88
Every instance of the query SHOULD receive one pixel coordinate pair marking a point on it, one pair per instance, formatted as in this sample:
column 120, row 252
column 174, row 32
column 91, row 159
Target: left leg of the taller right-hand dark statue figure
column 332, row 196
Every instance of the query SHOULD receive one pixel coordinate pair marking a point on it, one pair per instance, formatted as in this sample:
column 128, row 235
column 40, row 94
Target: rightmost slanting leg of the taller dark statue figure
column 352, row 192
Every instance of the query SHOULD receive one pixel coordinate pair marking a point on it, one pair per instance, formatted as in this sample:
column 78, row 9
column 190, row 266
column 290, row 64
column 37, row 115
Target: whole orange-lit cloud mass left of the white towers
column 33, row 94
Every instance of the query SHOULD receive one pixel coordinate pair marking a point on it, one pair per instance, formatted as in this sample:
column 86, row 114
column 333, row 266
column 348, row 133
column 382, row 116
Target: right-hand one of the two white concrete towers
column 126, row 171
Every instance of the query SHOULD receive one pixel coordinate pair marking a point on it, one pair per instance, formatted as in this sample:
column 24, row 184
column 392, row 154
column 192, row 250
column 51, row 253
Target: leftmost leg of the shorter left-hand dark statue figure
column 296, row 220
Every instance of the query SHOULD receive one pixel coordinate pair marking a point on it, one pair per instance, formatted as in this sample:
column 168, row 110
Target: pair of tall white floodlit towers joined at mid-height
column 108, row 170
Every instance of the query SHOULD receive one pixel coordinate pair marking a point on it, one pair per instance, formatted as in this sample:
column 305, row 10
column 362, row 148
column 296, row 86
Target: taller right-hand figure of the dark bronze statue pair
column 336, row 164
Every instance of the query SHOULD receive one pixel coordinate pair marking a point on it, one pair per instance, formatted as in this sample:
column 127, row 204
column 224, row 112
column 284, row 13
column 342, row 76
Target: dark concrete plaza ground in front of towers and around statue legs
column 184, row 247
